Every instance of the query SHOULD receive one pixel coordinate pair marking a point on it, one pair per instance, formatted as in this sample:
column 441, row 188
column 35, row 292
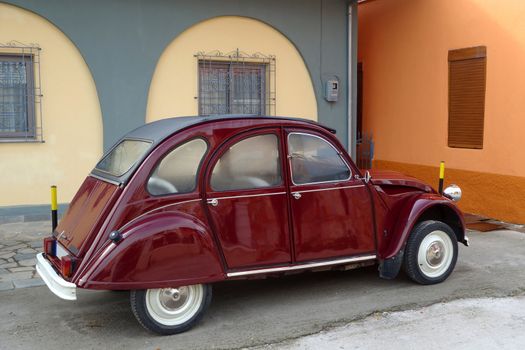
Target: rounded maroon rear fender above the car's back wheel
column 166, row 249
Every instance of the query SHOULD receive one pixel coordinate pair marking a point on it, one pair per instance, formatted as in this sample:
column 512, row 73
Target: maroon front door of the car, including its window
column 331, row 208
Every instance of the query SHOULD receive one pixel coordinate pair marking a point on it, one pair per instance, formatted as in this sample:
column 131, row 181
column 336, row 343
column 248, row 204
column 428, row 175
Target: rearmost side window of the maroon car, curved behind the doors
column 177, row 171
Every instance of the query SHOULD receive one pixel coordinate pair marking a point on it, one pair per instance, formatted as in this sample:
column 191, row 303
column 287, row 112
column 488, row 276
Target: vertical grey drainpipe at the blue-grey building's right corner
column 352, row 77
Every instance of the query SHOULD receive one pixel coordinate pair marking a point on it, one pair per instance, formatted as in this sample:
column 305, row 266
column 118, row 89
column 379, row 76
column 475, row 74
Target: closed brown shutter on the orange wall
column 466, row 97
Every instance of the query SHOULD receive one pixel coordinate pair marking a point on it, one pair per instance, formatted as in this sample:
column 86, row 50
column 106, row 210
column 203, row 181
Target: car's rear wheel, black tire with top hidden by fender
column 149, row 307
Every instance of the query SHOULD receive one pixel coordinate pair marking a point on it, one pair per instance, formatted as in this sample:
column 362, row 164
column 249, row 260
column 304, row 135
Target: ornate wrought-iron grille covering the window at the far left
column 20, row 93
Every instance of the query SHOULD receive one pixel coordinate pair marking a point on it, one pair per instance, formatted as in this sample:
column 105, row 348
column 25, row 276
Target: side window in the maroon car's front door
column 315, row 160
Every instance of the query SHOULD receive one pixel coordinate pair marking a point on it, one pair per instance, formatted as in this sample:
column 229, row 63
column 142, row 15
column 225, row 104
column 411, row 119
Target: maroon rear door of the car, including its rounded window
column 247, row 200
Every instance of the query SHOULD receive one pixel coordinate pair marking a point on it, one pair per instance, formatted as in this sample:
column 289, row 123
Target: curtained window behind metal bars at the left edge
column 17, row 92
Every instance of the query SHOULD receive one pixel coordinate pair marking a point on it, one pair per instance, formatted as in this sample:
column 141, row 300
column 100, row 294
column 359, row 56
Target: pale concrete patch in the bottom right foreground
column 486, row 323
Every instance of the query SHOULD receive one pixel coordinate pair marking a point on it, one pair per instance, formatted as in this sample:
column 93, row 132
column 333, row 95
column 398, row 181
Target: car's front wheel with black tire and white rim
column 439, row 252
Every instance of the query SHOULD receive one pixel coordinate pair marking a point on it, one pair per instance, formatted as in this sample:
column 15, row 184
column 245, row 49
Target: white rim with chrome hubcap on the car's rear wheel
column 174, row 306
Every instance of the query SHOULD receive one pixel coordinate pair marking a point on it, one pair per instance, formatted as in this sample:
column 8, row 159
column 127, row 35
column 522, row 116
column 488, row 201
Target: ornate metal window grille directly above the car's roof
column 236, row 83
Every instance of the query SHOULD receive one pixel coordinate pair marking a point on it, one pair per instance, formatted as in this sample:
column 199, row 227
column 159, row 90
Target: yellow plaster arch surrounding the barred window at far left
column 72, row 121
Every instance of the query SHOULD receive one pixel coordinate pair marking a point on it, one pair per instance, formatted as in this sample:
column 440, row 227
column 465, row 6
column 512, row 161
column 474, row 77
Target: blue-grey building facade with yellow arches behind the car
column 76, row 75
